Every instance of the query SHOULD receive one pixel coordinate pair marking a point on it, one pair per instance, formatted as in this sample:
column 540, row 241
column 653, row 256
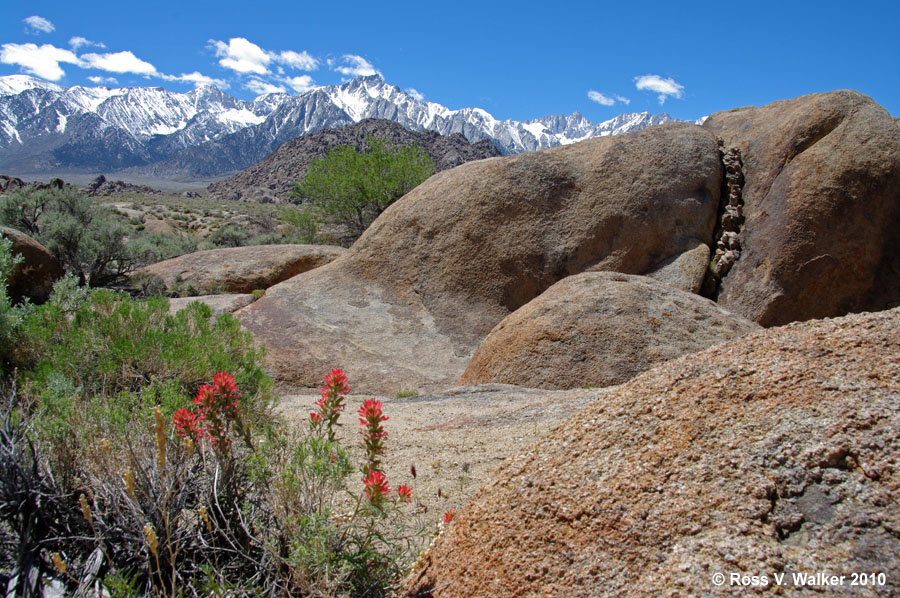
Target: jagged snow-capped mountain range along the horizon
column 206, row 132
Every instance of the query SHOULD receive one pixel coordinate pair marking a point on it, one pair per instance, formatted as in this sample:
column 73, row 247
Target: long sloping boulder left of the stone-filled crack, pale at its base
column 410, row 301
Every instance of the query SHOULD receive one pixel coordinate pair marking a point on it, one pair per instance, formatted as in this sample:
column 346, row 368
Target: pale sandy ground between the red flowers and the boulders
column 452, row 440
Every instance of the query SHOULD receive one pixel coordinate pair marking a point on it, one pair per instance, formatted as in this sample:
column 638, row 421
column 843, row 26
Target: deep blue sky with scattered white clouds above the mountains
column 516, row 60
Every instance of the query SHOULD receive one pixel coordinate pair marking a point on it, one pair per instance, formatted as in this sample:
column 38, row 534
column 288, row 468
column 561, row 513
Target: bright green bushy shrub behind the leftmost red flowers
column 112, row 343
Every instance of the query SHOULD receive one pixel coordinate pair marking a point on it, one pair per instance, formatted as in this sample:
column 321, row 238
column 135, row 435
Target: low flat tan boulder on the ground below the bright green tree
column 241, row 269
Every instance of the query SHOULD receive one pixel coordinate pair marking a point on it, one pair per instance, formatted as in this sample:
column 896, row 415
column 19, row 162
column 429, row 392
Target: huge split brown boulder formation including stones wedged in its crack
column 780, row 213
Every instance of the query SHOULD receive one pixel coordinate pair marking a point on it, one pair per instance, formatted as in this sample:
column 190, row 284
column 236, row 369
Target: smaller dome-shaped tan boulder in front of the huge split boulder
column 599, row 329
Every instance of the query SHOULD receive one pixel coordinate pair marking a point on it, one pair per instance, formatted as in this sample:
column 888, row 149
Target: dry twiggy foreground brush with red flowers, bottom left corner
column 188, row 505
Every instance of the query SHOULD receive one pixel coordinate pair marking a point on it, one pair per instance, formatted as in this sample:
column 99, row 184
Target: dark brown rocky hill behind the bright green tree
column 272, row 179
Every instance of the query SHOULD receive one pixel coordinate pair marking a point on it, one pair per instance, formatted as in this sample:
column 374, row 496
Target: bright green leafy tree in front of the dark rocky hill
column 355, row 187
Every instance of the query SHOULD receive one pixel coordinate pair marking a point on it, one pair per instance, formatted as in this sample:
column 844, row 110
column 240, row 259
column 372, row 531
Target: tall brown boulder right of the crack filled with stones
column 821, row 208
